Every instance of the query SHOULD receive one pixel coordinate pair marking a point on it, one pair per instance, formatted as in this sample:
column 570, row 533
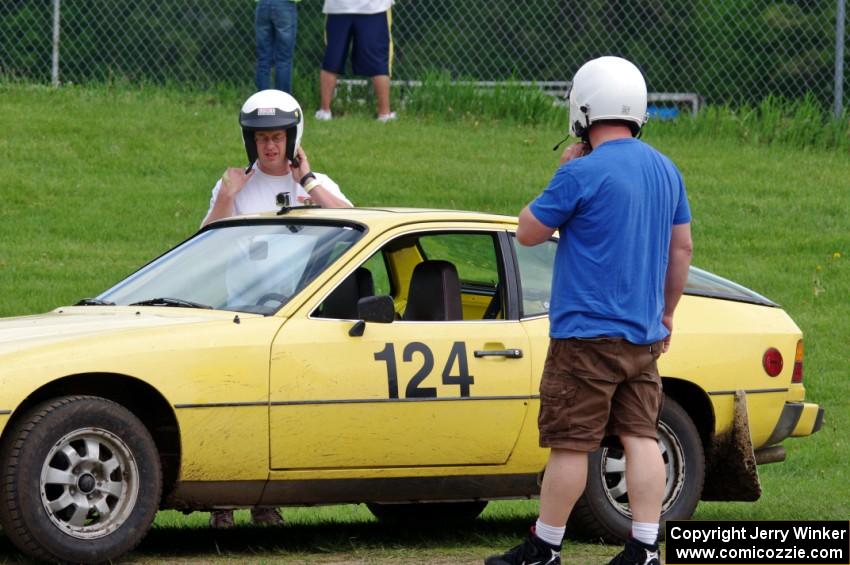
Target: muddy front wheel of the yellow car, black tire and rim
column 80, row 480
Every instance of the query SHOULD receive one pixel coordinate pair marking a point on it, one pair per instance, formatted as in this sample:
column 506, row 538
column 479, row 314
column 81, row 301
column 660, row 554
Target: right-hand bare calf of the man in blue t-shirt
column 645, row 476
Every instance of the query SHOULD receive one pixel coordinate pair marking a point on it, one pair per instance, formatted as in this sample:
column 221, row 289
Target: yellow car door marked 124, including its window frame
column 411, row 392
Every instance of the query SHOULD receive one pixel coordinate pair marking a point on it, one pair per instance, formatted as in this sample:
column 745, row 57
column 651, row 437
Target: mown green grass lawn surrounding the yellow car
column 96, row 181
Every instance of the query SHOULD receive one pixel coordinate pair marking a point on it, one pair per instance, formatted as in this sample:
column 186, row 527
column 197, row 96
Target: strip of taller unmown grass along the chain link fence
column 775, row 121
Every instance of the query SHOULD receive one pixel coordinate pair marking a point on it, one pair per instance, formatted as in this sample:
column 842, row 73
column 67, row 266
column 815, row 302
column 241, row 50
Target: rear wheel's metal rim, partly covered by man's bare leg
column 613, row 472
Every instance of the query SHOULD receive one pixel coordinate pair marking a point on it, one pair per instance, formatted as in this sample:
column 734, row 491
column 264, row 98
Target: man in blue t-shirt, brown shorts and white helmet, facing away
column 621, row 266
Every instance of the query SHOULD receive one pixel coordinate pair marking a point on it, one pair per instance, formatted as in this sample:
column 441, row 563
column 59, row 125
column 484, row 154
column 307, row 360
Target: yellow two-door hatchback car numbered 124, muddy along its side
column 384, row 356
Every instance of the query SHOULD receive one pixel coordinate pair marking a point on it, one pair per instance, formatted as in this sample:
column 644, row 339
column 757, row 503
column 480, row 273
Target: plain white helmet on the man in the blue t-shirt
column 607, row 88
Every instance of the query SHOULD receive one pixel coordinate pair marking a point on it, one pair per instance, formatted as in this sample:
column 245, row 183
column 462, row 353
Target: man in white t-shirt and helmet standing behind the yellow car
column 272, row 125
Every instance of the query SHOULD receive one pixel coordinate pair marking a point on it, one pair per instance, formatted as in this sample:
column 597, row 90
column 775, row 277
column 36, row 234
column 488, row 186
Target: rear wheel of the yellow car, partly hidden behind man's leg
column 602, row 512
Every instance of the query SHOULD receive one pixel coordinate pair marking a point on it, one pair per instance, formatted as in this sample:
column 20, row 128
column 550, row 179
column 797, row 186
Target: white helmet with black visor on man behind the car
column 270, row 110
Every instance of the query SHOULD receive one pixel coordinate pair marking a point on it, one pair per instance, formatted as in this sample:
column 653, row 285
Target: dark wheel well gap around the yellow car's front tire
column 137, row 396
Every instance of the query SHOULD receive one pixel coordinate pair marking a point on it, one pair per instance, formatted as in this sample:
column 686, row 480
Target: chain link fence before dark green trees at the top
column 726, row 51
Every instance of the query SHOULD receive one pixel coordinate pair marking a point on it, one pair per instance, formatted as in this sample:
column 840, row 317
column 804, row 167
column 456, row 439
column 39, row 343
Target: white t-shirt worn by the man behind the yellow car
column 260, row 192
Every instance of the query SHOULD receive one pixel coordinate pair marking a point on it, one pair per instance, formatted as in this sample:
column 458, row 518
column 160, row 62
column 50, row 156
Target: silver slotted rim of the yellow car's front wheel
column 89, row 483
